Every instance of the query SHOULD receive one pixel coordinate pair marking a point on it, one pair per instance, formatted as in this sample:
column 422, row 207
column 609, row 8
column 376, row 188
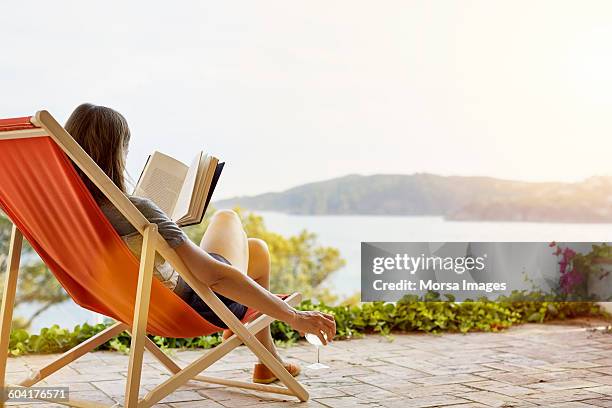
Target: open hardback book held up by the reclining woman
column 183, row 192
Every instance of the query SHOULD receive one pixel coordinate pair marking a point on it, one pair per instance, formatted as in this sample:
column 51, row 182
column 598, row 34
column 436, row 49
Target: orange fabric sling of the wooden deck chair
column 45, row 198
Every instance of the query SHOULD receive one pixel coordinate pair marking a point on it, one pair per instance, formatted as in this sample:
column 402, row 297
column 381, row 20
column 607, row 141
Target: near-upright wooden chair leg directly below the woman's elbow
column 141, row 311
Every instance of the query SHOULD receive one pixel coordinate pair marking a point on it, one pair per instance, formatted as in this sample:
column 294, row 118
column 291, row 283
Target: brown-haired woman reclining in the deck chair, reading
column 237, row 268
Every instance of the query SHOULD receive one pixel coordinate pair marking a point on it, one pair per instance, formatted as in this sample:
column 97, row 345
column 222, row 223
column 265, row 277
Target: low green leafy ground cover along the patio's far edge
column 406, row 315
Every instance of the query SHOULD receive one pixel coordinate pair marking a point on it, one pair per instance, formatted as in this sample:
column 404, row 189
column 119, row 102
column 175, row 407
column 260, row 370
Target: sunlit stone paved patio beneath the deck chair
column 565, row 365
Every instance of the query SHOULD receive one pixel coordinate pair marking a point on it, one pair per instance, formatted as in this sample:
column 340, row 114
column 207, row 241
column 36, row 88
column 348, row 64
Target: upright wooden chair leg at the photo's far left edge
column 8, row 303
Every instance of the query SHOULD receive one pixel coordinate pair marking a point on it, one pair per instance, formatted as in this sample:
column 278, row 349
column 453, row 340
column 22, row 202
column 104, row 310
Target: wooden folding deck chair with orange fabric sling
column 50, row 206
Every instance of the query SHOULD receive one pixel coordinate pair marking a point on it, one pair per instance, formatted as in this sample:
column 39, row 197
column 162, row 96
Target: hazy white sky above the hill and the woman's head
column 292, row 92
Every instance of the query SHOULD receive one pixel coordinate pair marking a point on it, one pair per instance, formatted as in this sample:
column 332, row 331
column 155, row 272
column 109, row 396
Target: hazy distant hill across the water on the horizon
column 456, row 198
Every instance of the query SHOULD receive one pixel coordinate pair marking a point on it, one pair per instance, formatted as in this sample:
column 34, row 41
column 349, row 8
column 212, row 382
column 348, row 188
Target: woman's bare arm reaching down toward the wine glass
column 232, row 283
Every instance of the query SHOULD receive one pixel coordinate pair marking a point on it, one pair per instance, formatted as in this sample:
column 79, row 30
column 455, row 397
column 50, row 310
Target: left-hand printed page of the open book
column 162, row 181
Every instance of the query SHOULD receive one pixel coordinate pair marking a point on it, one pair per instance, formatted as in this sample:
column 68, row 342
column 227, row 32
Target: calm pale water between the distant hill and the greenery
column 347, row 232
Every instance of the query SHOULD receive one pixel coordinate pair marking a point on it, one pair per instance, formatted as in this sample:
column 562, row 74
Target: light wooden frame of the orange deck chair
column 152, row 242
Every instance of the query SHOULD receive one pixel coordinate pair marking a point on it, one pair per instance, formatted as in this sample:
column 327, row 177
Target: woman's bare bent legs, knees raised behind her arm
column 226, row 237
